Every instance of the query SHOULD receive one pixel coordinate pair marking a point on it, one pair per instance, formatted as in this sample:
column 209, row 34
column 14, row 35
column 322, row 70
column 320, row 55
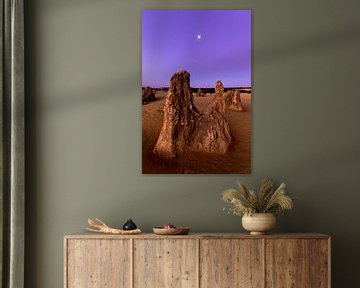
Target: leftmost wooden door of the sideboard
column 98, row 263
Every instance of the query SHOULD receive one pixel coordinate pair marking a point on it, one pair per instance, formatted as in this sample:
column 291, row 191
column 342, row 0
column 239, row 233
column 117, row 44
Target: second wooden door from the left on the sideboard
column 165, row 263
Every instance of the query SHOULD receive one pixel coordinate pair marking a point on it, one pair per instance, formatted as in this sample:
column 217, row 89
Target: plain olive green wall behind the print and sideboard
column 84, row 126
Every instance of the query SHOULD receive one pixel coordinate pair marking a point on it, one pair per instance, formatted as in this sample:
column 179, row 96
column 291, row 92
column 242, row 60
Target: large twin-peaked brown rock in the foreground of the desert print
column 184, row 128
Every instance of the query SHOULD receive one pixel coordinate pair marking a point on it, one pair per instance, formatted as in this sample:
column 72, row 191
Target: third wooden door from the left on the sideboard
column 231, row 263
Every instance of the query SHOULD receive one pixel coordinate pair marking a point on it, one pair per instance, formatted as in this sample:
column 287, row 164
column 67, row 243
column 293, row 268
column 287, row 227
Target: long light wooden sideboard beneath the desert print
column 197, row 260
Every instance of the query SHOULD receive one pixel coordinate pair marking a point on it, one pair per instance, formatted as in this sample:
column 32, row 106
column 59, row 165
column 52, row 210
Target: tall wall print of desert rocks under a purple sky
column 196, row 91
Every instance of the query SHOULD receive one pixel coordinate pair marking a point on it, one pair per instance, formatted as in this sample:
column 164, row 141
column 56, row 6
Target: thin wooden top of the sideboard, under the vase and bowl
column 89, row 235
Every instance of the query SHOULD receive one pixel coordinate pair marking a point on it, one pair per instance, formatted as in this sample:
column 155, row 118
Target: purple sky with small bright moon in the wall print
column 210, row 44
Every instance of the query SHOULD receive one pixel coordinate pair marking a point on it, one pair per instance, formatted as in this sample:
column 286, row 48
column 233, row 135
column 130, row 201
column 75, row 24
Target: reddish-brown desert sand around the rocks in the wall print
column 237, row 160
